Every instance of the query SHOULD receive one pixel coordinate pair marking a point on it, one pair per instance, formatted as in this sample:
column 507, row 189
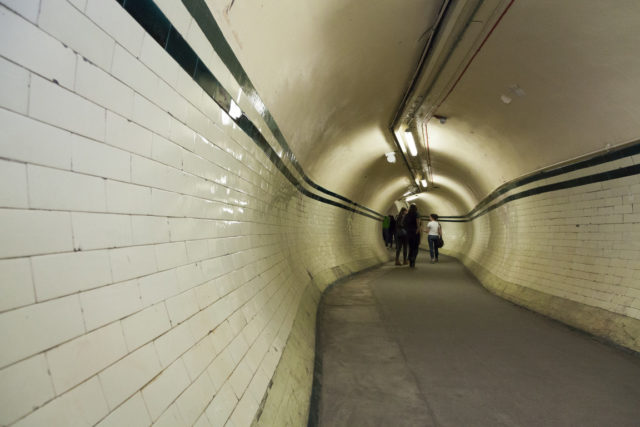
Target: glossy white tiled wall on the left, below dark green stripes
column 153, row 262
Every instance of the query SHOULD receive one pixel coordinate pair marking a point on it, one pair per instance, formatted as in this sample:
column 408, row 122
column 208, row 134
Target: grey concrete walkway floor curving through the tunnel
column 431, row 347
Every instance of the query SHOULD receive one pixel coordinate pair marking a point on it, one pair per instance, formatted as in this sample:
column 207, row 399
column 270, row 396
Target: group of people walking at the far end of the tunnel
column 406, row 230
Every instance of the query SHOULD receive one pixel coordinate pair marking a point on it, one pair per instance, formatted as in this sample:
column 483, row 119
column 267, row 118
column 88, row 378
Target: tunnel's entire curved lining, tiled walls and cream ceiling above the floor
column 182, row 179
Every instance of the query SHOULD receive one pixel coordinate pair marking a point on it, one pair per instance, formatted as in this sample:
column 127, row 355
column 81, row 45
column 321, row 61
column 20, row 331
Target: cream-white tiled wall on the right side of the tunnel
column 578, row 245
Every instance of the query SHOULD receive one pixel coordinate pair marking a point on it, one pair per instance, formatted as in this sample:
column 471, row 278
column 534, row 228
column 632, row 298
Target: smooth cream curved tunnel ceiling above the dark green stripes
column 524, row 85
